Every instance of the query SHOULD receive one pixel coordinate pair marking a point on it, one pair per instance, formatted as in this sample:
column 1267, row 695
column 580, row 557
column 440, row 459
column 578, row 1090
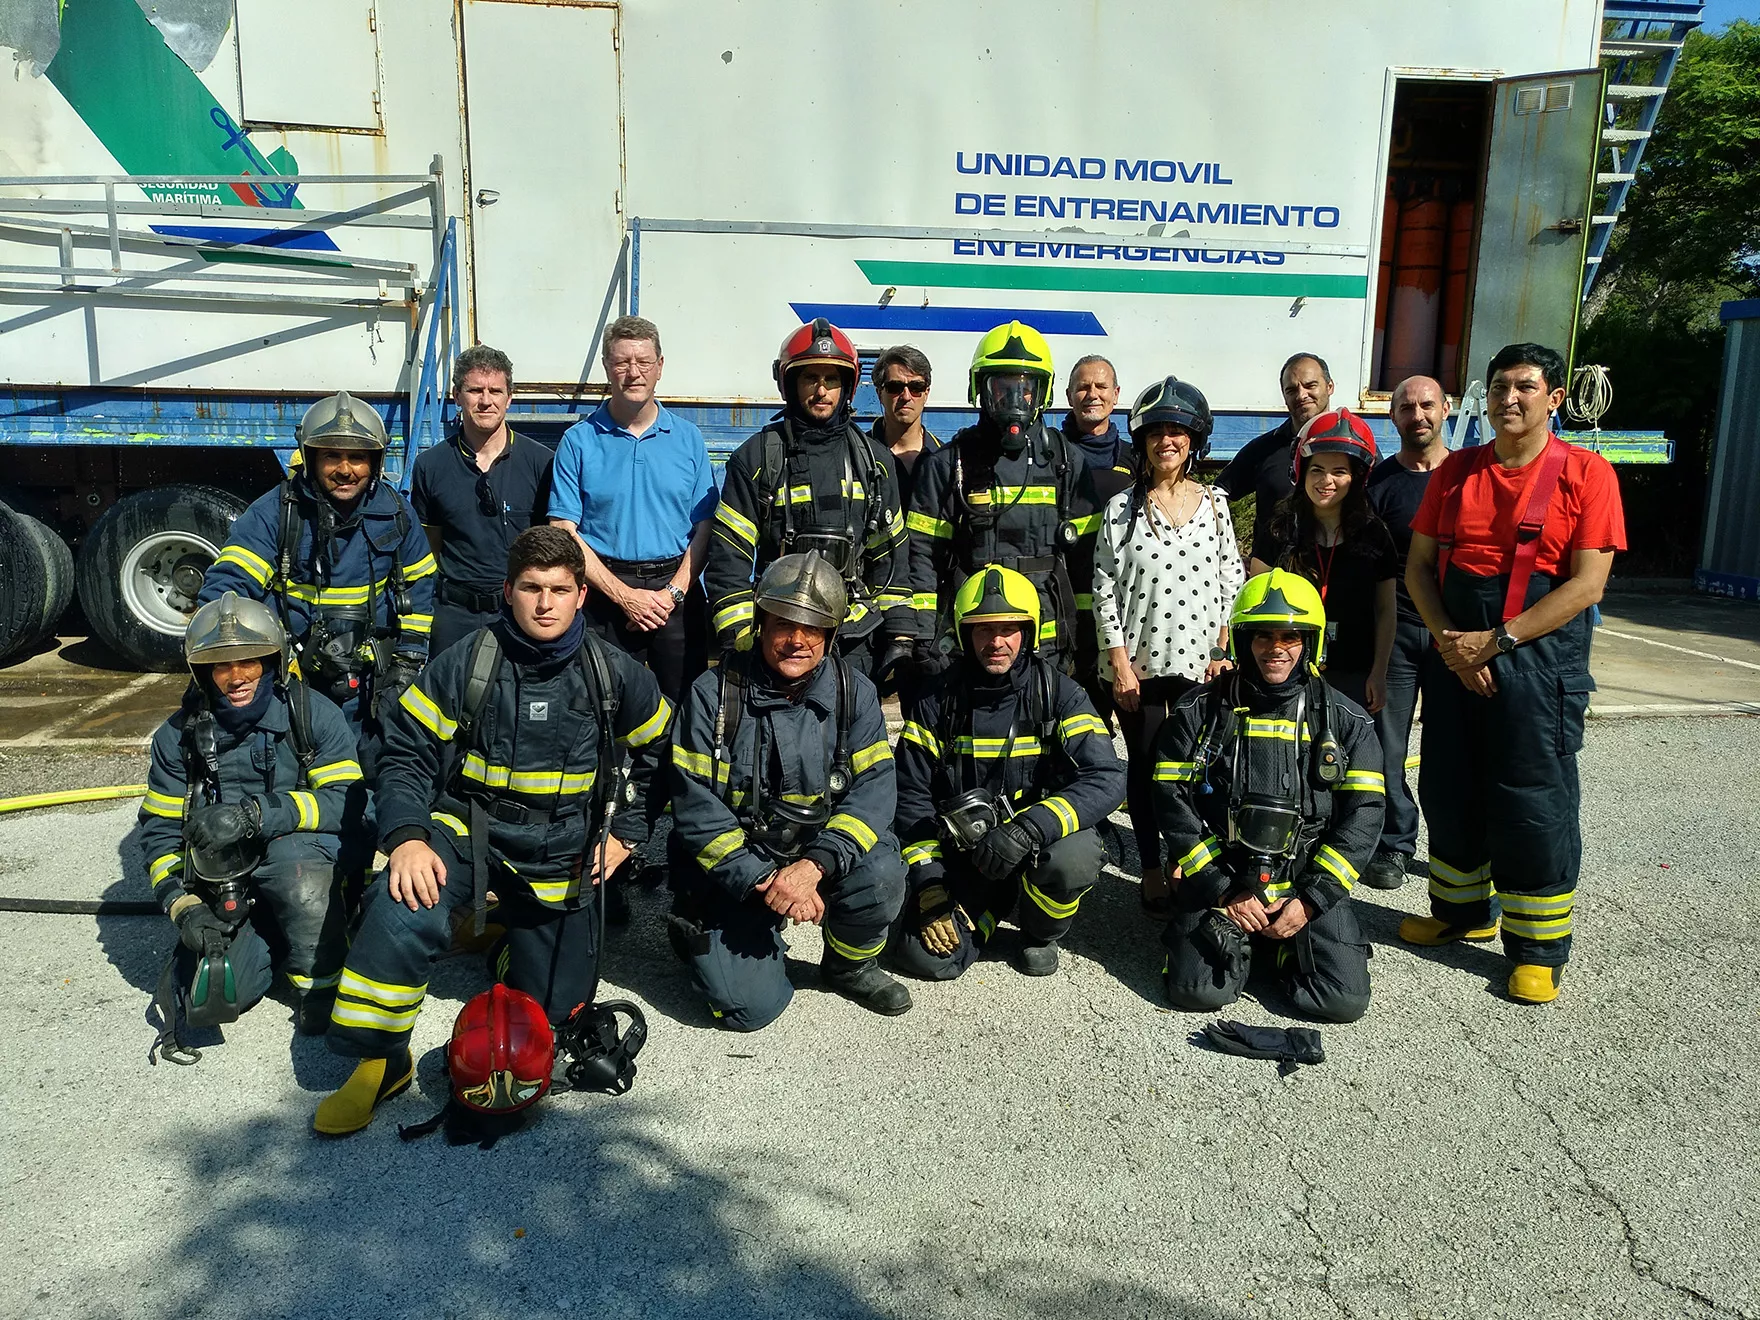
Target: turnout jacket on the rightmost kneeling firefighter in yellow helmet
column 1340, row 826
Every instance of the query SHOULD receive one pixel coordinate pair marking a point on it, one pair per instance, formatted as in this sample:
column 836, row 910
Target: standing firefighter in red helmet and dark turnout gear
column 814, row 481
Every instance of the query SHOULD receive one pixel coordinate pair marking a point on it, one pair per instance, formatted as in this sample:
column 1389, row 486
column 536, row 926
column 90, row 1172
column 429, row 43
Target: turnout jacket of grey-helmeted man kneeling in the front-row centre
column 714, row 800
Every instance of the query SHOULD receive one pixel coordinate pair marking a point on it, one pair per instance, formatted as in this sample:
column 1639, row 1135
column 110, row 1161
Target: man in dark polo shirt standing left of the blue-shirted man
column 476, row 494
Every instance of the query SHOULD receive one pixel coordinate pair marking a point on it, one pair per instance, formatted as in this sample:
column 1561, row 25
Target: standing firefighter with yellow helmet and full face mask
column 1011, row 492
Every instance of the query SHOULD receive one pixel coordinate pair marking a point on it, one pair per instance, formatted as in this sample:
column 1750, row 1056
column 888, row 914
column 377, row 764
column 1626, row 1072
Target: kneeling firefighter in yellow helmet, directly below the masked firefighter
column 1004, row 774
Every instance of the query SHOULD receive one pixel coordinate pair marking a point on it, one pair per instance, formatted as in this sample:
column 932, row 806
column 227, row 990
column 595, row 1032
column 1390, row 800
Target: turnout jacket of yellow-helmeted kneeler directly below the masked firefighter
column 957, row 733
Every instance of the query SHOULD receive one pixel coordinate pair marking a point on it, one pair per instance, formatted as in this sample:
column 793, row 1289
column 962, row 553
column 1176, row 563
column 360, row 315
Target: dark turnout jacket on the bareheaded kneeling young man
column 532, row 761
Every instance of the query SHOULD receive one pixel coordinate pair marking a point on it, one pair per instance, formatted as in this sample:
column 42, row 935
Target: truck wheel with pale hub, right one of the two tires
column 142, row 569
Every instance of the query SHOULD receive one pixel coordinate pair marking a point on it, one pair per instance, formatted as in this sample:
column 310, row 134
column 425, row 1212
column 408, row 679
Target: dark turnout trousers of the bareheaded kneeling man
column 548, row 953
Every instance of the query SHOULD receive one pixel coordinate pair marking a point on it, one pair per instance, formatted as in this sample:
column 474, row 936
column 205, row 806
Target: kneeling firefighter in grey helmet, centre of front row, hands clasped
column 782, row 810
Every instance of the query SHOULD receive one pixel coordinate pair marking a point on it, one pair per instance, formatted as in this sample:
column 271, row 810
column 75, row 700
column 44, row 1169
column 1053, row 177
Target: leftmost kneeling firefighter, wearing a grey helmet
column 238, row 830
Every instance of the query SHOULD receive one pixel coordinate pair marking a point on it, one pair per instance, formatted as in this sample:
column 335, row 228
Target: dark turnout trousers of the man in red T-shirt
column 1499, row 781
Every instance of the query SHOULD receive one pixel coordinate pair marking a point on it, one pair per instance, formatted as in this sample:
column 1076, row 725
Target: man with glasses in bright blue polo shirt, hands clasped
column 634, row 485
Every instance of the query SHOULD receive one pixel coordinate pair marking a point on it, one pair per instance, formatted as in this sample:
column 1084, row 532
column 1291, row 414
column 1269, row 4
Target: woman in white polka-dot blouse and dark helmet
column 1166, row 576
